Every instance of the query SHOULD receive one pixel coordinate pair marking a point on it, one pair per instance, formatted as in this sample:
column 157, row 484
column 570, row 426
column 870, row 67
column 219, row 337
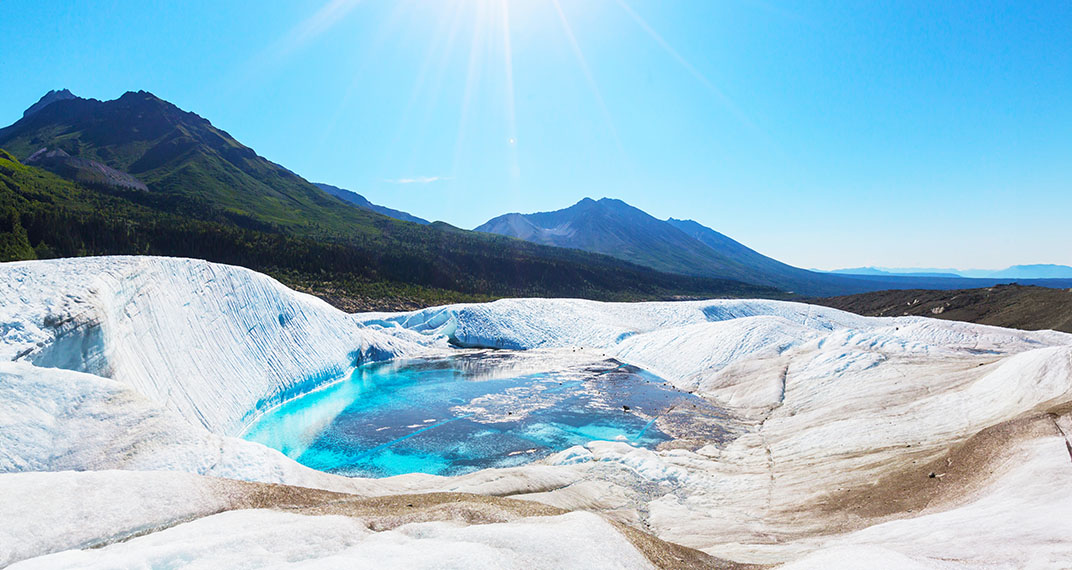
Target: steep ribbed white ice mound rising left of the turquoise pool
column 211, row 342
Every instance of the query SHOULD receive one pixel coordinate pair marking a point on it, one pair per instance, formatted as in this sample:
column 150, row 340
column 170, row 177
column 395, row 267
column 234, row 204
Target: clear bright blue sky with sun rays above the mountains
column 826, row 134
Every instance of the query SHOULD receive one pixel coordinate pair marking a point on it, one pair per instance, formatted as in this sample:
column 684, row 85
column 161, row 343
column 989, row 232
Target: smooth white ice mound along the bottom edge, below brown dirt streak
column 263, row 538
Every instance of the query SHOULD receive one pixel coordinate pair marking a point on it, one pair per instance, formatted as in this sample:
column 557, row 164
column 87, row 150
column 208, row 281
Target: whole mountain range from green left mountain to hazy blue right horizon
column 140, row 176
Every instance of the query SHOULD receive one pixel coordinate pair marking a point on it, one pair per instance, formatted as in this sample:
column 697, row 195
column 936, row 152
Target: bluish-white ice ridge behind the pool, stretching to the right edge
column 687, row 341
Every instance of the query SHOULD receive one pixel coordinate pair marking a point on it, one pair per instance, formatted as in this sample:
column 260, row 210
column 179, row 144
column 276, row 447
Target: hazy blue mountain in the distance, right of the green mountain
column 684, row 247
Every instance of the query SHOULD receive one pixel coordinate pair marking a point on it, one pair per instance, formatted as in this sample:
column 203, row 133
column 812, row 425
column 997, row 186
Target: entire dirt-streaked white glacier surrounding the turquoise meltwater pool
column 126, row 384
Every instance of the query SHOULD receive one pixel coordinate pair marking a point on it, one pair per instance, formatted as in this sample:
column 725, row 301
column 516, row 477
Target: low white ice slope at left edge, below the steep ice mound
column 55, row 421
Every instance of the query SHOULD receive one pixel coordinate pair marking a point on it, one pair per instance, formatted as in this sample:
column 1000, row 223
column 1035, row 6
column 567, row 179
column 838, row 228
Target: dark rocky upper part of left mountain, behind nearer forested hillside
column 183, row 156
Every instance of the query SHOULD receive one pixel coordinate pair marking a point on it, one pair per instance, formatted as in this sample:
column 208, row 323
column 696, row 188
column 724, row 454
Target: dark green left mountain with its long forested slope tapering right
column 211, row 198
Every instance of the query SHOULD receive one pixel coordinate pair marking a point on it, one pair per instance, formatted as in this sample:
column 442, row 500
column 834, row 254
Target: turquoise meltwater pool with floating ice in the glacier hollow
column 455, row 415
